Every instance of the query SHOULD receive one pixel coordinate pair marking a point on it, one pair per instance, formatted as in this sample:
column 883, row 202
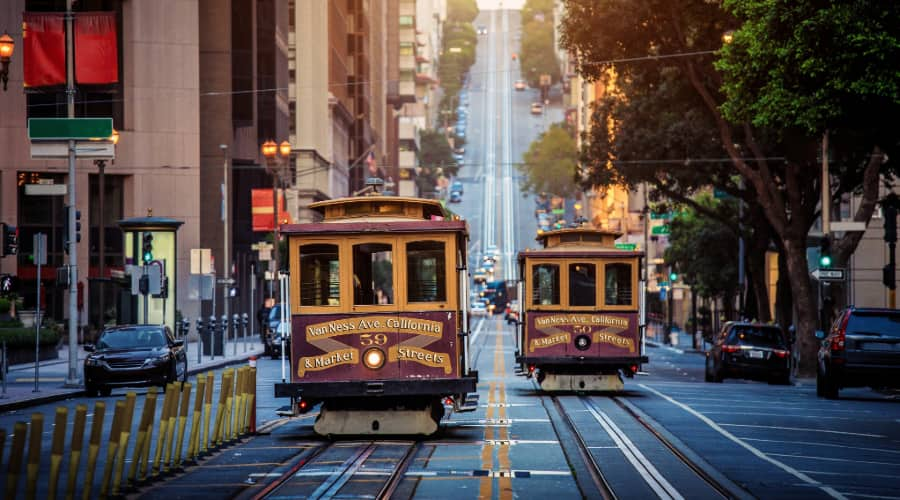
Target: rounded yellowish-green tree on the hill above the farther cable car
column 550, row 163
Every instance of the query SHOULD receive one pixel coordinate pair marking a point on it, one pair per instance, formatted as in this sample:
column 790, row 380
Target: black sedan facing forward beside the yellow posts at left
column 134, row 356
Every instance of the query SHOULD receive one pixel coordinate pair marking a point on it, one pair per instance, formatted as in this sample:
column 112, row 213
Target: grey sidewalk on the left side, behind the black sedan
column 20, row 387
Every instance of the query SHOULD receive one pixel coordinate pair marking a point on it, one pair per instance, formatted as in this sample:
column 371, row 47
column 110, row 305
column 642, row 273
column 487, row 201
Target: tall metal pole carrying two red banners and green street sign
column 72, row 379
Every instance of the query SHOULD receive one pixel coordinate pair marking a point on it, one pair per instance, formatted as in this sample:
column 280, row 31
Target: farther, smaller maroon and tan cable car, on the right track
column 581, row 304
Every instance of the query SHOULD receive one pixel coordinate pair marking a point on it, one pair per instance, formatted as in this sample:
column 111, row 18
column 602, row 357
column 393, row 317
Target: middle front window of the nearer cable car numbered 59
column 373, row 274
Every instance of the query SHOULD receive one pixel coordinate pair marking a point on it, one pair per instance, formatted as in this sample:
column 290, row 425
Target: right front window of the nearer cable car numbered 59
column 426, row 272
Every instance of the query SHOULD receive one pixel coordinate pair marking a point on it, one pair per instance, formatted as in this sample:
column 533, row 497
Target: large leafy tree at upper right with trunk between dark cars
column 776, row 159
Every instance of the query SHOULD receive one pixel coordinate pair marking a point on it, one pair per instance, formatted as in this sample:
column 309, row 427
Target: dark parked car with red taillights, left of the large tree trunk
column 749, row 351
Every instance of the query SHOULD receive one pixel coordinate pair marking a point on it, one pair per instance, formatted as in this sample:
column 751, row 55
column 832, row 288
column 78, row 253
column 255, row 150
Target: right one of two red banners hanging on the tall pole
column 96, row 48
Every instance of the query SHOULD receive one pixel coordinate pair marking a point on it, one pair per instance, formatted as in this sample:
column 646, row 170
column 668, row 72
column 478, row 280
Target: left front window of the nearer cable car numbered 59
column 319, row 275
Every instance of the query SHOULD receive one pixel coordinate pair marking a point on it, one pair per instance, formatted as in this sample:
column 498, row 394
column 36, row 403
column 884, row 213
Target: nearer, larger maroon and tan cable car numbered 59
column 378, row 308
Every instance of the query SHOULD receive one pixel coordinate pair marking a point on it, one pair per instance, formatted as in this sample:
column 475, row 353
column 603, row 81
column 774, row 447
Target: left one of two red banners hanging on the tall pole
column 44, row 49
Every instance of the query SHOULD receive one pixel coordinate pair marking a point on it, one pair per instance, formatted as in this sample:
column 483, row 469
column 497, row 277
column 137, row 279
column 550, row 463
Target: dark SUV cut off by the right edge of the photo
column 861, row 349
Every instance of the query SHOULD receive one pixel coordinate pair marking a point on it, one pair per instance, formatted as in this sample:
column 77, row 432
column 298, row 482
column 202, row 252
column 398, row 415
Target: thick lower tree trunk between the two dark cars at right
column 805, row 305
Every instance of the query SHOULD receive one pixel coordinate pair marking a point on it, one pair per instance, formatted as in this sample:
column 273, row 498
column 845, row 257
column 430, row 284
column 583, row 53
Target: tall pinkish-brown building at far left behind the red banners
column 192, row 75
